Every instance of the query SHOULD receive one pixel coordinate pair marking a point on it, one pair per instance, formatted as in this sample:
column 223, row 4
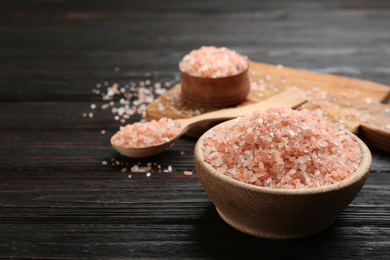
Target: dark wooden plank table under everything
column 63, row 193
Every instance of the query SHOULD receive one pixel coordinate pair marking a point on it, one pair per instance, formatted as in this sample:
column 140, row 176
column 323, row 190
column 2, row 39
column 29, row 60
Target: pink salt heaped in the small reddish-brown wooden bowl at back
column 213, row 62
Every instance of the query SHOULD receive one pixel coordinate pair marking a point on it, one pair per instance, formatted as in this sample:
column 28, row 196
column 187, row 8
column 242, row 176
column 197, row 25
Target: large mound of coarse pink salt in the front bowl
column 282, row 148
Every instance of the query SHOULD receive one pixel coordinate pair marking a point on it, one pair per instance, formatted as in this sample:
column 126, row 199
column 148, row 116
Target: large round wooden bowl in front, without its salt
column 279, row 213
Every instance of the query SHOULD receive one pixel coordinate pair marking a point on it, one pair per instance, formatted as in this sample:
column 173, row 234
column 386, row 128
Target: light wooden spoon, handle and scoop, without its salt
column 291, row 97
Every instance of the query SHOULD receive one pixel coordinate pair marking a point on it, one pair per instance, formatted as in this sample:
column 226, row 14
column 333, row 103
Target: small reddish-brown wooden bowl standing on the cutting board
column 215, row 92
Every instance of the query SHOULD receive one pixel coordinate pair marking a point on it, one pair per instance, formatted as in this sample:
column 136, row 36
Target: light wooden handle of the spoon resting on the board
column 291, row 97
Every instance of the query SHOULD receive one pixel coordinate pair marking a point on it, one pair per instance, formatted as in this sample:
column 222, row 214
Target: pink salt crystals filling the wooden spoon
column 146, row 134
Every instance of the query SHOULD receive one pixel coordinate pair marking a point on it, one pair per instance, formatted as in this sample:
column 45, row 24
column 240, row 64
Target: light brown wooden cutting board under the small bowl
column 350, row 103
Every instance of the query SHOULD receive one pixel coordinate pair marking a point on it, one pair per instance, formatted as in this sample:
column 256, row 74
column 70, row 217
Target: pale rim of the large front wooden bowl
column 360, row 174
